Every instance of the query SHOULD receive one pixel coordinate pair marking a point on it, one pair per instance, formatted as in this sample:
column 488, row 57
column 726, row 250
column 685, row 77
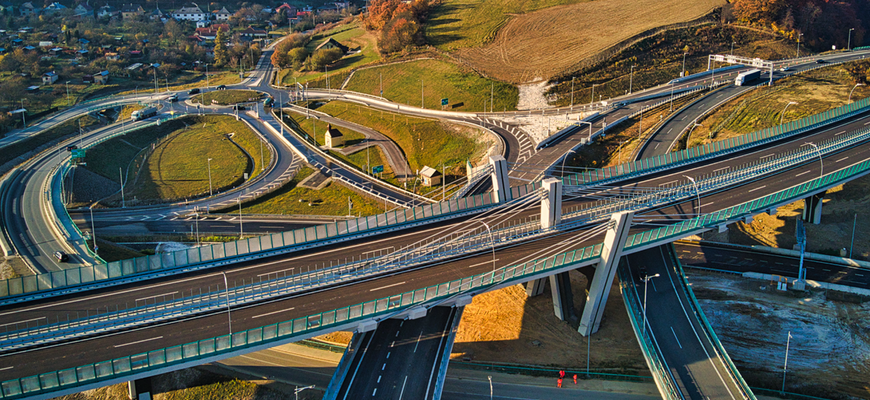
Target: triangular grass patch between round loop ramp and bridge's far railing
column 294, row 200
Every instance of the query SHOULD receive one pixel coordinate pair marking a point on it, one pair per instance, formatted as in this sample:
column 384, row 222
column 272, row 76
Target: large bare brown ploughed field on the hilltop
column 544, row 43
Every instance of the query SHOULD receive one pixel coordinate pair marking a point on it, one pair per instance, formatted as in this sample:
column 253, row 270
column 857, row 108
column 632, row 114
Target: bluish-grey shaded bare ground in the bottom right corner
column 829, row 352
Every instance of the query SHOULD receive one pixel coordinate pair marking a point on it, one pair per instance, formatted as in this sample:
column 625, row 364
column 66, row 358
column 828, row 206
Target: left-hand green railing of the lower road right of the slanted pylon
column 651, row 352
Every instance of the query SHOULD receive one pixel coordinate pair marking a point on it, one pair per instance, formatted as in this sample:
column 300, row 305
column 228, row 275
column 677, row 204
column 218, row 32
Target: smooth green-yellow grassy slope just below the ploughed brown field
column 464, row 89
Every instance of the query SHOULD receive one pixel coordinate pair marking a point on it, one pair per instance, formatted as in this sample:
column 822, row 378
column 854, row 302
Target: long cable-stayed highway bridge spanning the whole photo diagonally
column 305, row 311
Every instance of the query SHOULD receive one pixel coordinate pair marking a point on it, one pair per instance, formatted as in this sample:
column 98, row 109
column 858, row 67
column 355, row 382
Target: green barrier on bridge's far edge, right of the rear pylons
column 718, row 148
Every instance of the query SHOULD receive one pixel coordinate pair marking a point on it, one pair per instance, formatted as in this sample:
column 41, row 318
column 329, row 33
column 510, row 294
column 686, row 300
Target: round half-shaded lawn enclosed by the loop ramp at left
column 177, row 166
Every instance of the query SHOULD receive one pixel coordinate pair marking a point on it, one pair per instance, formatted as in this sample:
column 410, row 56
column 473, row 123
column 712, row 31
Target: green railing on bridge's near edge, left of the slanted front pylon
column 206, row 350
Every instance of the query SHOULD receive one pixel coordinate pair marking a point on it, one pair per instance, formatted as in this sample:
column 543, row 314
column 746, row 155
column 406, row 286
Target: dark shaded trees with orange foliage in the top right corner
column 823, row 23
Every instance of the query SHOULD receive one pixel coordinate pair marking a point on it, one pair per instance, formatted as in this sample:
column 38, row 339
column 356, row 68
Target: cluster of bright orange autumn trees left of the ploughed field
column 398, row 23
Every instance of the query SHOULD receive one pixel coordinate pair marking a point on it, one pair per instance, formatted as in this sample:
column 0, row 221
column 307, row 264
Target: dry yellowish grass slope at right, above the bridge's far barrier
column 814, row 92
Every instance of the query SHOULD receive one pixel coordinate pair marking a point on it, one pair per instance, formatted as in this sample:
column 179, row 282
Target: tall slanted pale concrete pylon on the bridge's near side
column 596, row 299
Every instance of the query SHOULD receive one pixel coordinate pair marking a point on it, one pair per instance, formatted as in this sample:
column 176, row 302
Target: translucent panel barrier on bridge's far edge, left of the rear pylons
column 248, row 248
